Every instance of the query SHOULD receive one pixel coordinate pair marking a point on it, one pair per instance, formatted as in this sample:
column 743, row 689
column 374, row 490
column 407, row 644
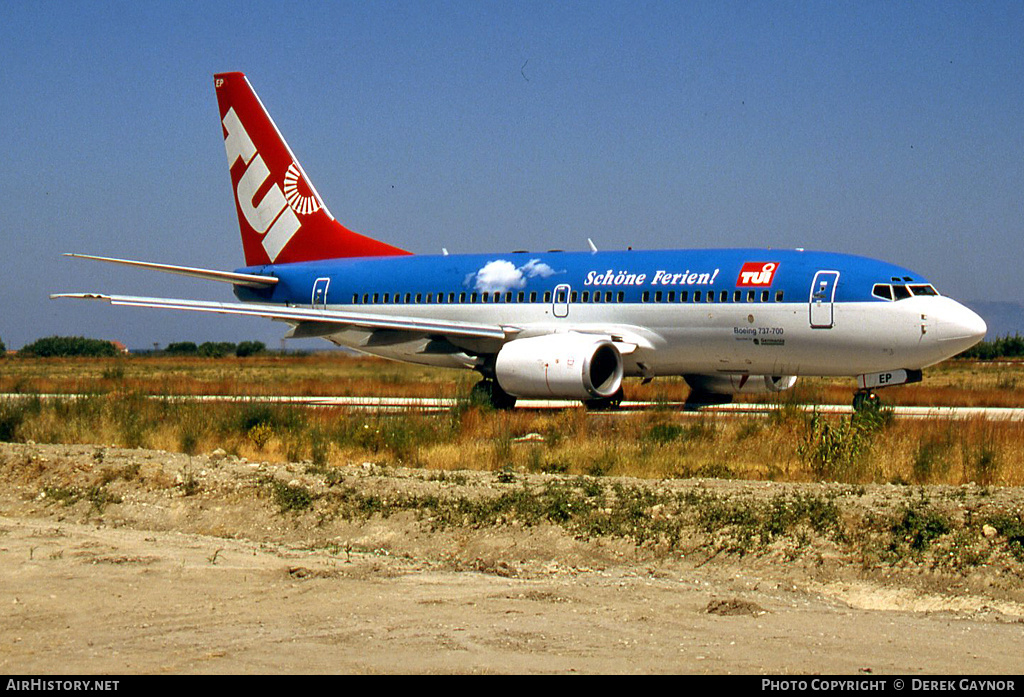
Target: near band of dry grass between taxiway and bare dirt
column 787, row 446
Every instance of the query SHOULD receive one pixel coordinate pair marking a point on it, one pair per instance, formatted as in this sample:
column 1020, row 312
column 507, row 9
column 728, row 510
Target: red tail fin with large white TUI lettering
column 282, row 216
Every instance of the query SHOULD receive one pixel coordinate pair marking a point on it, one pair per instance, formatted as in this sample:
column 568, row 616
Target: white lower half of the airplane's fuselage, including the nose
column 719, row 338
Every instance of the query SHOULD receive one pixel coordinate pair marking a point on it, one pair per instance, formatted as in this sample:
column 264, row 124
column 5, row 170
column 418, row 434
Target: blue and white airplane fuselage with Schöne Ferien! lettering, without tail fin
column 689, row 312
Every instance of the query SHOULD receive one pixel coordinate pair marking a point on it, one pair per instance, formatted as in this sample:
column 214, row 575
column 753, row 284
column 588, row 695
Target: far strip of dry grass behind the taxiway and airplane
column 959, row 383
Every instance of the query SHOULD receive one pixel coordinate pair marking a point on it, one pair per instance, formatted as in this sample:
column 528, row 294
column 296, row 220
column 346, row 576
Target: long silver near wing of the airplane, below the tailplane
column 298, row 316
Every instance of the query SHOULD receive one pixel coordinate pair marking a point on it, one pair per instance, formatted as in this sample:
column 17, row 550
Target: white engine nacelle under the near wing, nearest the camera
column 561, row 367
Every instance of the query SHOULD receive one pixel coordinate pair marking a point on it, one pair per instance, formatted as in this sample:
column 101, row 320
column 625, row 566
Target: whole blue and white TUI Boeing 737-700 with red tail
column 569, row 326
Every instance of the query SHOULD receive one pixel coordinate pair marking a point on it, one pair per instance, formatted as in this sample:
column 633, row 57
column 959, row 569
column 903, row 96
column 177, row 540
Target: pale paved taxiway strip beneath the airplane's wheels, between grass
column 423, row 405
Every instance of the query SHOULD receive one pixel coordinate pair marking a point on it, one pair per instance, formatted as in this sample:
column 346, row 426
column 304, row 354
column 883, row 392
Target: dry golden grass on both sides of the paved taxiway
column 657, row 444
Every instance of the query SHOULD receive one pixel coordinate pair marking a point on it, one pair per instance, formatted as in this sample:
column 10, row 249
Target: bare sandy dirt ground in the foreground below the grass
column 139, row 561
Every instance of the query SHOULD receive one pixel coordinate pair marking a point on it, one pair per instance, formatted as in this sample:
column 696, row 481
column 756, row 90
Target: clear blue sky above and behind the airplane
column 888, row 129
